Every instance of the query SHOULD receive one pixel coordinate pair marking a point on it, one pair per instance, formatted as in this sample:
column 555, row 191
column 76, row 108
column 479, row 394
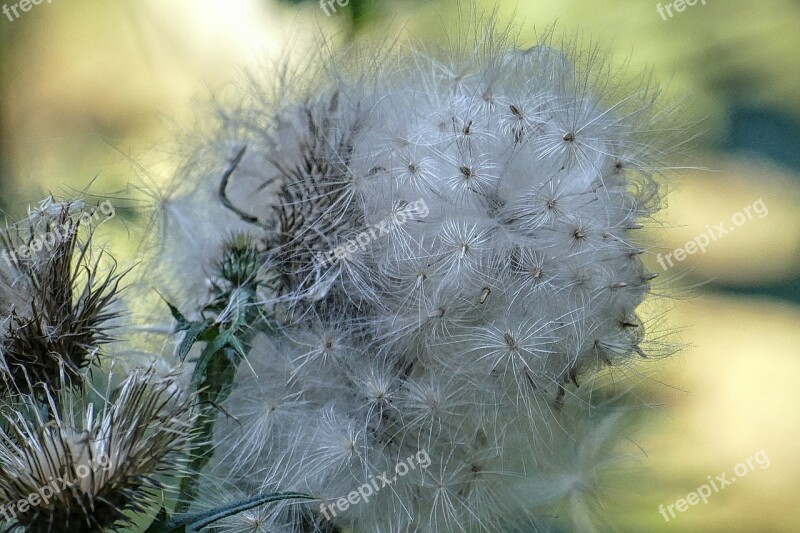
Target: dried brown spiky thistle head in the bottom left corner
column 85, row 466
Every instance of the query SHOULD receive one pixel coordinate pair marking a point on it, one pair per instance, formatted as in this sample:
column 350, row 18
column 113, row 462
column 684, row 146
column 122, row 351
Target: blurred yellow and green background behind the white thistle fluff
column 95, row 94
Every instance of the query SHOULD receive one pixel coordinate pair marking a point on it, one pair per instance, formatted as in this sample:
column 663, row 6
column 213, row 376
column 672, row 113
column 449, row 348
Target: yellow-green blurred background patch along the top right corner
column 694, row 51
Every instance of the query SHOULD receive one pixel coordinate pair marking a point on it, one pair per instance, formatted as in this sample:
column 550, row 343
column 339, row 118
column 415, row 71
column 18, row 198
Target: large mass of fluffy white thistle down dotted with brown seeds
column 446, row 252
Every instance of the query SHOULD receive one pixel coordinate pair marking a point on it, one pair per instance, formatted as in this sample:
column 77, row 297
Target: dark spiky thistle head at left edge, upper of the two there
column 55, row 297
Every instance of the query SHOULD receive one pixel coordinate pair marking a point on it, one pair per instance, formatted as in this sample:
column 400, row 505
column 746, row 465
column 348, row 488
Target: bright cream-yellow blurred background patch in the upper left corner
column 93, row 82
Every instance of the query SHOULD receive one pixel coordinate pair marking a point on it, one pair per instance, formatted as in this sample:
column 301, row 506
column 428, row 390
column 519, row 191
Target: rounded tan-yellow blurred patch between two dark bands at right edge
column 757, row 206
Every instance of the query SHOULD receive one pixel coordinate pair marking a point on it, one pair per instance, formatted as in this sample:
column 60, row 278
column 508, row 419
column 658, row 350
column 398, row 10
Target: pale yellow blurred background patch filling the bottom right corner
column 729, row 395
